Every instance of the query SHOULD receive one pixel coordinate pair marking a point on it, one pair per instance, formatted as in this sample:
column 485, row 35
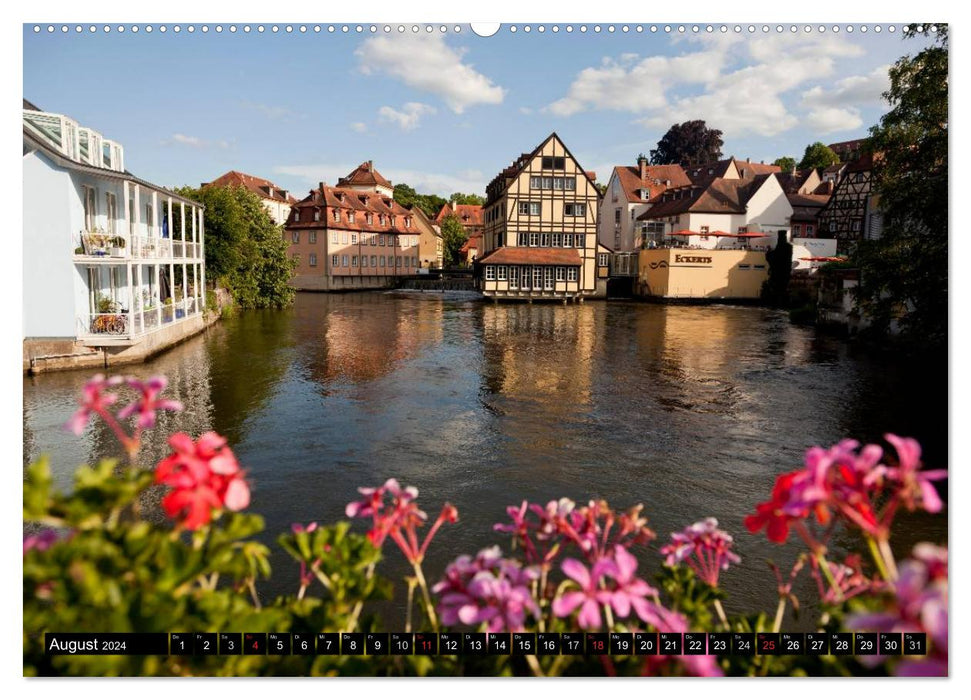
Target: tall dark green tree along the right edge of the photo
column 903, row 274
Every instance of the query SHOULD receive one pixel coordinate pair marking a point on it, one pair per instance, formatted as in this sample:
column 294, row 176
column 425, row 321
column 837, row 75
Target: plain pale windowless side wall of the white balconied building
column 48, row 249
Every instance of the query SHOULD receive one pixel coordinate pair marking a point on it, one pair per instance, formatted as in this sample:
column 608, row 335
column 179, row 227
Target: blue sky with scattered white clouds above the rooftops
column 446, row 112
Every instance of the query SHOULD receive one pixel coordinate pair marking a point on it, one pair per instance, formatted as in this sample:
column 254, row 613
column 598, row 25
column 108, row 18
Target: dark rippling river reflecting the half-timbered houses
column 690, row 410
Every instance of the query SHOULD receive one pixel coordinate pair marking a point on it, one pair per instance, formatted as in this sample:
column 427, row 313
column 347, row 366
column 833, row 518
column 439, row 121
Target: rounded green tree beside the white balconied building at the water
column 245, row 251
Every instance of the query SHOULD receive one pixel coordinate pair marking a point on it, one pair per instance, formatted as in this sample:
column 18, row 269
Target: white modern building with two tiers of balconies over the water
column 110, row 261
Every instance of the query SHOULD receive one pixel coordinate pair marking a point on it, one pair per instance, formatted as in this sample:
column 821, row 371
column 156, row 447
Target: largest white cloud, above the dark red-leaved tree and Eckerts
column 738, row 87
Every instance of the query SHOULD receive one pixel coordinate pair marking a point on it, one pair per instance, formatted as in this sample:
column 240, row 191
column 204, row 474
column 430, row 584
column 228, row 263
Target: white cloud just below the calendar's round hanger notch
column 427, row 63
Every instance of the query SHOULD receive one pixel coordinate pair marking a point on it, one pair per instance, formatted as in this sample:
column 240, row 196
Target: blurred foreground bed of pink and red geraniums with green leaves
column 93, row 562
